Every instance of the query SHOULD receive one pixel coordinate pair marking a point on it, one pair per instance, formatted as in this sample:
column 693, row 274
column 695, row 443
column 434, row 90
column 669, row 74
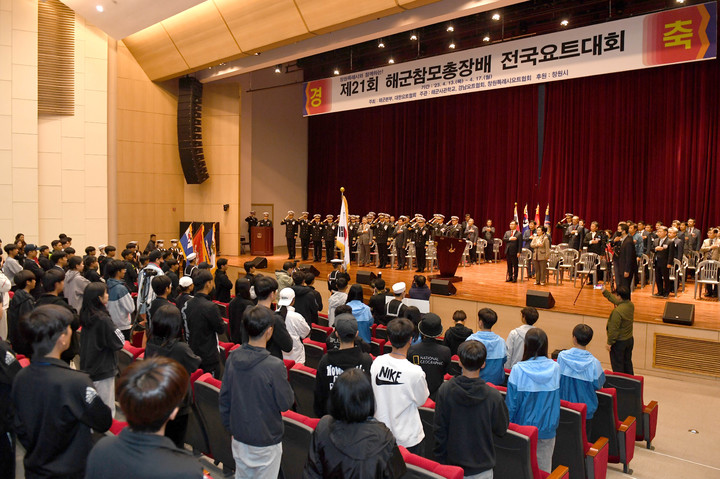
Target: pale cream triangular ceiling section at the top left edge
column 121, row 18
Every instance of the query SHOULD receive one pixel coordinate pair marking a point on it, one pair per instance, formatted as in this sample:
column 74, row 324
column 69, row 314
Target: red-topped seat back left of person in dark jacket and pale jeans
column 207, row 399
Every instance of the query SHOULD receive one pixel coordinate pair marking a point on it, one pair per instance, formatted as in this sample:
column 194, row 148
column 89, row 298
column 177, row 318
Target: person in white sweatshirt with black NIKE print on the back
column 400, row 388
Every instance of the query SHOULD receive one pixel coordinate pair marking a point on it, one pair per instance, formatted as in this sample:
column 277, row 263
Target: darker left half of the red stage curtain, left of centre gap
column 473, row 153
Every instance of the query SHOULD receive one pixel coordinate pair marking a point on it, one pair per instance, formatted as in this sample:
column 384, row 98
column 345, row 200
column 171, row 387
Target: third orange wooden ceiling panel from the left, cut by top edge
column 263, row 23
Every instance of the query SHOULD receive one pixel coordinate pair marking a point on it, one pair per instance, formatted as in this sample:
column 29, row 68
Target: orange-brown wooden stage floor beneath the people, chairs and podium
column 486, row 283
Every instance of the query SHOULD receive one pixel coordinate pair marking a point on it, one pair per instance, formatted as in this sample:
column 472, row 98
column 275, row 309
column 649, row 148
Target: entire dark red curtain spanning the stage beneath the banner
column 642, row 145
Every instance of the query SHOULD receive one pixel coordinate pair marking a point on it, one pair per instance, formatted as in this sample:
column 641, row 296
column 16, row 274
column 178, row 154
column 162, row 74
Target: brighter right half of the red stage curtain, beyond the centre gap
column 640, row 145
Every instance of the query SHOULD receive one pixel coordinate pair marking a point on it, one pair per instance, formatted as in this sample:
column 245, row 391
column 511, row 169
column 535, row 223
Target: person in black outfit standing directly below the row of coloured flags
column 203, row 323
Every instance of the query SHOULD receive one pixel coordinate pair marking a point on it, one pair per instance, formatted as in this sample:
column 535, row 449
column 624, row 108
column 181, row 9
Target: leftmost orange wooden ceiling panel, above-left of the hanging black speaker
column 156, row 52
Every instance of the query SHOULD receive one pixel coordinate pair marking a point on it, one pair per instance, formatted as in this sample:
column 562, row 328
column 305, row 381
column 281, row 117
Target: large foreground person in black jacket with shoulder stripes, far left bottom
column 55, row 406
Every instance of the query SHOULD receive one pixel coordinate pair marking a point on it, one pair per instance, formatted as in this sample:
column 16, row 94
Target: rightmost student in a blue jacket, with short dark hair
column 581, row 373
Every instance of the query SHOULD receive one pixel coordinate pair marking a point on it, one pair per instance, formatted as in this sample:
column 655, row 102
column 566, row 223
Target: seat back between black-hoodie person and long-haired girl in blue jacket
column 516, row 453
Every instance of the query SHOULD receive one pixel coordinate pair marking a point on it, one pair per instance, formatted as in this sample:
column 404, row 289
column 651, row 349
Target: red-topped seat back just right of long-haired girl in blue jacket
column 570, row 441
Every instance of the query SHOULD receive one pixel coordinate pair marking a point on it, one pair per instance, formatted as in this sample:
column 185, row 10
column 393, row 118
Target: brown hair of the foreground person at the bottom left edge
column 149, row 391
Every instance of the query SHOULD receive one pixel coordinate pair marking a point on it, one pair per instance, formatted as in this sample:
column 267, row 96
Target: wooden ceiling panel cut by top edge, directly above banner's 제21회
column 322, row 16
